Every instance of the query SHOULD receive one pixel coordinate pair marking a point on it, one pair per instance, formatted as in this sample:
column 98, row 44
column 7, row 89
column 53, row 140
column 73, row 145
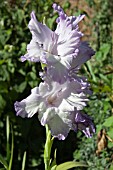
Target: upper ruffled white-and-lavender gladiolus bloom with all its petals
column 58, row 49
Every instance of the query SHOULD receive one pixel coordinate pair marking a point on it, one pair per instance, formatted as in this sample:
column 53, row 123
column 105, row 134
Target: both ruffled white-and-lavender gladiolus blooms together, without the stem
column 61, row 97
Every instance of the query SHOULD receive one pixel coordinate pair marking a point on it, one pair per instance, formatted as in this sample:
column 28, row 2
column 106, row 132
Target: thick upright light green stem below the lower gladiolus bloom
column 47, row 149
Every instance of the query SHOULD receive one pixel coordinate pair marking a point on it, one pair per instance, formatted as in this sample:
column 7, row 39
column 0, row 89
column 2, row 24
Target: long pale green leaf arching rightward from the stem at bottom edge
column 70, row 164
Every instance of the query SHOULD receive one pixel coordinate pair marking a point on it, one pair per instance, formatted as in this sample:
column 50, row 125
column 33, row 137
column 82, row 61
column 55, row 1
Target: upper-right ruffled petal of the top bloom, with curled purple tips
column 67, row 31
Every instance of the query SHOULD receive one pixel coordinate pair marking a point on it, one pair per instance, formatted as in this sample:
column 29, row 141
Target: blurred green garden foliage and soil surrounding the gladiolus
column 22, row 140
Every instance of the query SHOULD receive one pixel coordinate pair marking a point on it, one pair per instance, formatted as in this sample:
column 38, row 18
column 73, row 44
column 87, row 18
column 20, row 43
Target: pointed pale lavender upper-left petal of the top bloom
column 45, row 37
